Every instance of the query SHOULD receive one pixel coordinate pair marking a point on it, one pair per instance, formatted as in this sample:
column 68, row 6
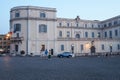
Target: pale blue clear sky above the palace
column 86, row 9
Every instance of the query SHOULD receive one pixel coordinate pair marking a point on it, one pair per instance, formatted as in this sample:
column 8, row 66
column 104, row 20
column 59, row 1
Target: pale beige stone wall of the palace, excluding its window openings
column 33, row 39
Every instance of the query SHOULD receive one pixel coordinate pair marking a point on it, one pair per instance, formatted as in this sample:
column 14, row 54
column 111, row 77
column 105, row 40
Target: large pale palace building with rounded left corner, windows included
column 38, row 28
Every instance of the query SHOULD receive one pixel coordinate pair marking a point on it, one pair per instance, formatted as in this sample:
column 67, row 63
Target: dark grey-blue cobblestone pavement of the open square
column 79, row 68
